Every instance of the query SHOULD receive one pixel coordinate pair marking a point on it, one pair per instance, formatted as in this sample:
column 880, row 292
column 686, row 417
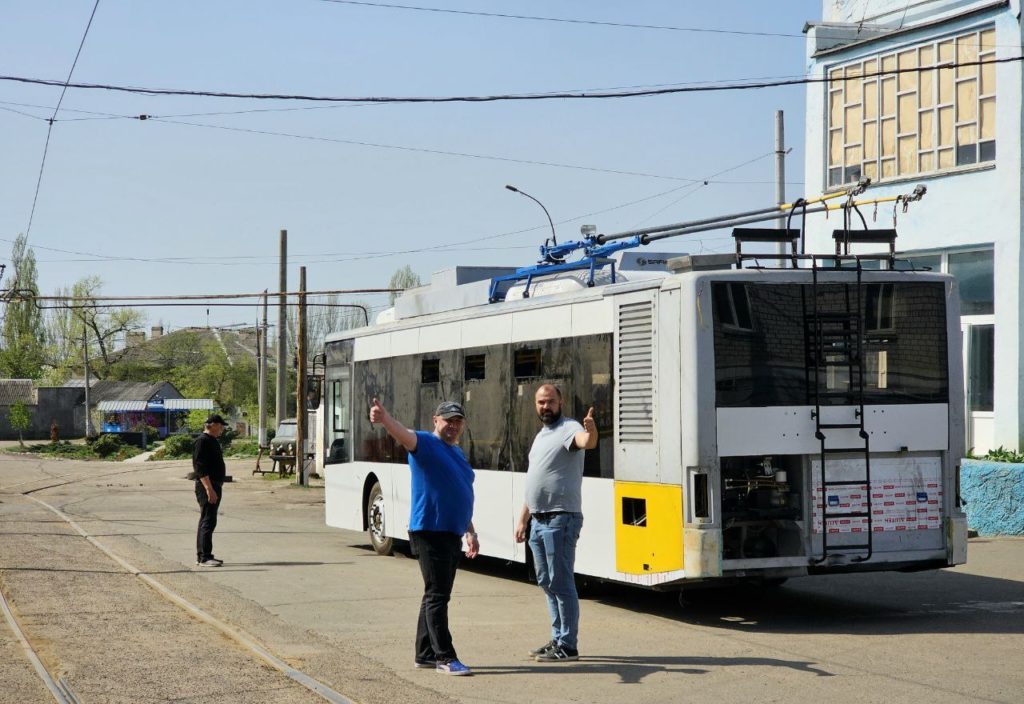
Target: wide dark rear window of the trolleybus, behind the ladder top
column 778, row 360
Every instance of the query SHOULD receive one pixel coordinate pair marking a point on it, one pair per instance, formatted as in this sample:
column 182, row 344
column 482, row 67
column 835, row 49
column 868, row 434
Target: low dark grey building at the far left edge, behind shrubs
column 48, row 406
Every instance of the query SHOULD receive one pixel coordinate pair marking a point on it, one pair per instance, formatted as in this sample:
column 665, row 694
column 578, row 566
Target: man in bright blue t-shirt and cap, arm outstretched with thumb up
column 442, row 514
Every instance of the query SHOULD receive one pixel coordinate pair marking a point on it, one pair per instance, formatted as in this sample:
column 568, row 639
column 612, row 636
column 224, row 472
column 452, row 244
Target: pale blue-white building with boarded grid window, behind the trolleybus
column 929, row 93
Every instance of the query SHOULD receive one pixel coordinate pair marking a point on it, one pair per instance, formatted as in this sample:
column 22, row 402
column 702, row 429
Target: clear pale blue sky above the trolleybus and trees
column 192, row 201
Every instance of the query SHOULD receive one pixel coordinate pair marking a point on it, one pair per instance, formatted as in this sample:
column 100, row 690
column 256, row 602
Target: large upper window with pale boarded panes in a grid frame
column 916, row 117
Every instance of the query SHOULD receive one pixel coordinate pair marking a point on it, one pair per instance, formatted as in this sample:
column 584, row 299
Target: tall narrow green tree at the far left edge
column 23, row 356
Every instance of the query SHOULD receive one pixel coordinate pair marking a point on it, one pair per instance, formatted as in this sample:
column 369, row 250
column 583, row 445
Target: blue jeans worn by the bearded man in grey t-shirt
column 552, row 540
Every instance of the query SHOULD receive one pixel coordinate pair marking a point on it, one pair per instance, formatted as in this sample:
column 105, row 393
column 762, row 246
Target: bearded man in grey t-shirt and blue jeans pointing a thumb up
column 554, row 501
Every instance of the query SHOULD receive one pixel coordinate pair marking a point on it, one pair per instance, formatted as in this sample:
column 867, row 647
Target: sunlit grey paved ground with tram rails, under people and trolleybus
column 320, row 599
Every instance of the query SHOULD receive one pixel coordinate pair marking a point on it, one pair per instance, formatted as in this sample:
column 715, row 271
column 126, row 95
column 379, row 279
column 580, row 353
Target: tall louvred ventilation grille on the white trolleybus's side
column 636, row 372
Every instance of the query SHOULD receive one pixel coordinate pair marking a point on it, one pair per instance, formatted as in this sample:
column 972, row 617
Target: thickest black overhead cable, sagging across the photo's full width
column 565, row 96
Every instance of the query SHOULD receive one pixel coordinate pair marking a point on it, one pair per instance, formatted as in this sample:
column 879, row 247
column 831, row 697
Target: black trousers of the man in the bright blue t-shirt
column 439, row 554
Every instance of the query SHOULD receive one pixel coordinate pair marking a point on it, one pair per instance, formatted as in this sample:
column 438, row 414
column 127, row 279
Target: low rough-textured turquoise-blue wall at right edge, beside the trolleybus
column 995, row 497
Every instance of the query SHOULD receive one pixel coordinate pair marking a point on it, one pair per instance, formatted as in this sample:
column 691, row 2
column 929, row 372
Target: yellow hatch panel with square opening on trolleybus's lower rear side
column 649, row 527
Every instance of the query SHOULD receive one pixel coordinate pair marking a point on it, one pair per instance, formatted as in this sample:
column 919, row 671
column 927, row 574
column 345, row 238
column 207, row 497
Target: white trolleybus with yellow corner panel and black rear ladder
column 756, row 422
